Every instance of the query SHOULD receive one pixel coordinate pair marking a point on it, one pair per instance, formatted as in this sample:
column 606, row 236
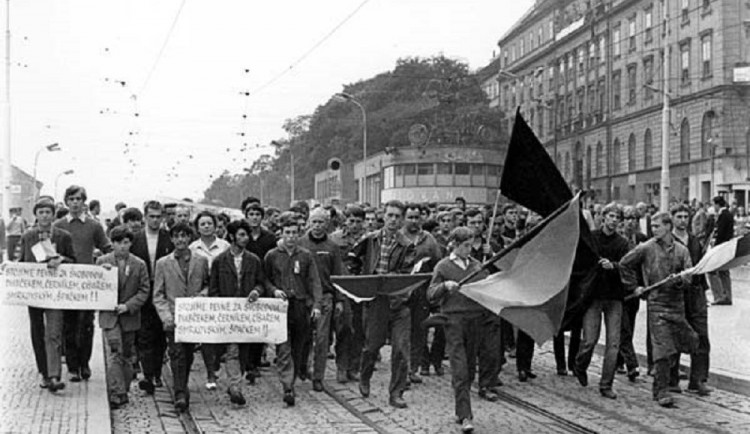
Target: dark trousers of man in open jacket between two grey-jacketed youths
column 152, row 342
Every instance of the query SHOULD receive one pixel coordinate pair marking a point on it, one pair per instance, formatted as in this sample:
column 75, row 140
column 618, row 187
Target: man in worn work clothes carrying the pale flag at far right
column 658, row 259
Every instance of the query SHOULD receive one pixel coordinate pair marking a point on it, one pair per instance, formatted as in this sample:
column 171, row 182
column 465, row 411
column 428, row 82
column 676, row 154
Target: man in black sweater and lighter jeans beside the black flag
column 607, row 300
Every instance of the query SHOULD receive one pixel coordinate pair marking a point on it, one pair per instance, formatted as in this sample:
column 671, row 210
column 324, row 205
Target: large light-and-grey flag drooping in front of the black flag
column 532, row 291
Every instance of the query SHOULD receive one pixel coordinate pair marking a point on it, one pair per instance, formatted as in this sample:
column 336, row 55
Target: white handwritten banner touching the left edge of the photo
column 71, row 286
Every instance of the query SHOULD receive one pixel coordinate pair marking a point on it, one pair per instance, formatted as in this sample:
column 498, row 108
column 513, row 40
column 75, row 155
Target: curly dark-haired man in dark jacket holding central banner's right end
column 236, row 273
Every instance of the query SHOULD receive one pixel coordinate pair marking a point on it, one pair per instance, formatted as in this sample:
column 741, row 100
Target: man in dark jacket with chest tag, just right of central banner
column 293, row 275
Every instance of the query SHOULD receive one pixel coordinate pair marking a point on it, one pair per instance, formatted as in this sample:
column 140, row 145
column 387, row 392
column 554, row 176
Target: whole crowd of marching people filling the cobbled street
column 162, row 252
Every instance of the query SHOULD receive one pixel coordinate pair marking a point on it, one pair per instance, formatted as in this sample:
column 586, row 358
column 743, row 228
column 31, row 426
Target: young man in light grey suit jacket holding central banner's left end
column 180, row 274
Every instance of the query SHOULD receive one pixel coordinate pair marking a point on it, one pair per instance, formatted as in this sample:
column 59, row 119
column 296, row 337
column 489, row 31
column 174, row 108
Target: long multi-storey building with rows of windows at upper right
column 589, row 77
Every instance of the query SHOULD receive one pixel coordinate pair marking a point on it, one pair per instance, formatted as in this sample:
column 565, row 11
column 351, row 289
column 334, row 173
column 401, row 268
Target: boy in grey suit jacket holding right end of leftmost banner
column 121, row 326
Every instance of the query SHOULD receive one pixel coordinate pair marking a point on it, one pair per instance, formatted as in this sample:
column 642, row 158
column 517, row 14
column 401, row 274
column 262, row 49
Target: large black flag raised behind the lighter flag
column 531, row 178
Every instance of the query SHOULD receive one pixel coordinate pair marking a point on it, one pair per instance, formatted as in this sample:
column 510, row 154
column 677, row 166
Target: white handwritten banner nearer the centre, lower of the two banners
column 218, row 320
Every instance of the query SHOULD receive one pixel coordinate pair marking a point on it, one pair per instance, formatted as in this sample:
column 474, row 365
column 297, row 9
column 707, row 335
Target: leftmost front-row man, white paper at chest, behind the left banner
column 47, row 324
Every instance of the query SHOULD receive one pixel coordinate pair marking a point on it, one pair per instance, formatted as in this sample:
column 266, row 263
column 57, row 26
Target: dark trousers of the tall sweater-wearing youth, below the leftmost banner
column 79, row 336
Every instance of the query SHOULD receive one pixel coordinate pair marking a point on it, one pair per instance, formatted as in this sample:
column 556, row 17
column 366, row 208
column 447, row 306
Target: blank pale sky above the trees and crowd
column 150, row 98
